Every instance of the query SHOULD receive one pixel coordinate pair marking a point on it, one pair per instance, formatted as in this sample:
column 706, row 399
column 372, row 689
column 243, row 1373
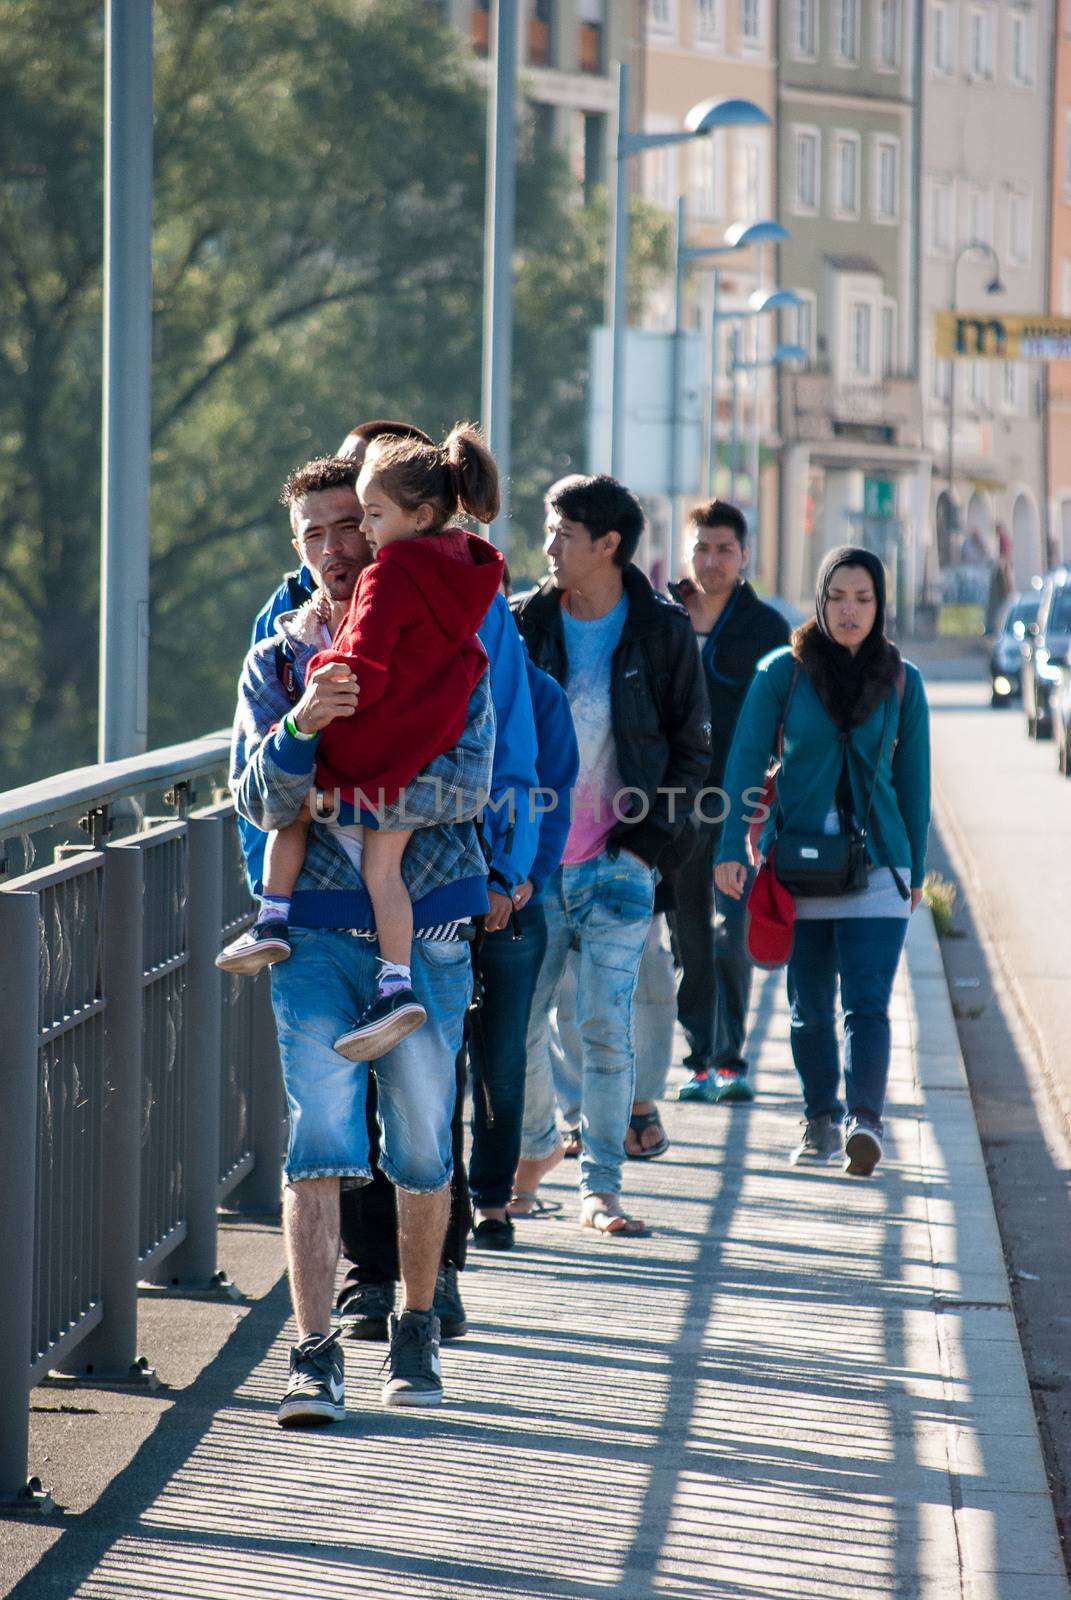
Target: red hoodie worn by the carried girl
column 411, row 641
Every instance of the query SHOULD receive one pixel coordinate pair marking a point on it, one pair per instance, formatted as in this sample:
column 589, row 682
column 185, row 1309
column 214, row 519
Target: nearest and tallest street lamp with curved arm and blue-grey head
column 700, row 122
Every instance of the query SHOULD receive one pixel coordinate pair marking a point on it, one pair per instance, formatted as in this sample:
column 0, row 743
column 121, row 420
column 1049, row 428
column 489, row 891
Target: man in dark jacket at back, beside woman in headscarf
column 736, row 631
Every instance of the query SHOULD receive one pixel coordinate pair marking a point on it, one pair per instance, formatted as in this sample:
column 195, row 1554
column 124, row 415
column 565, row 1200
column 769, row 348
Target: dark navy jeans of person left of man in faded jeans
column 510, row 969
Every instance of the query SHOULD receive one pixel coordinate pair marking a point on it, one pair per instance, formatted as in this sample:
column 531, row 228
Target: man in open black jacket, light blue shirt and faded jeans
column 632, row 671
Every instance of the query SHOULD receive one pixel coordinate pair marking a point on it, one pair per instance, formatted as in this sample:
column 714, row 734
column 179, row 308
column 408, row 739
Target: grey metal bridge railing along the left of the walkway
column 140, row 1087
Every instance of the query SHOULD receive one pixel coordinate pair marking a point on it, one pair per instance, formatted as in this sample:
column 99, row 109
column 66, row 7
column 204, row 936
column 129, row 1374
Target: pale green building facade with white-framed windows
column 854, row 463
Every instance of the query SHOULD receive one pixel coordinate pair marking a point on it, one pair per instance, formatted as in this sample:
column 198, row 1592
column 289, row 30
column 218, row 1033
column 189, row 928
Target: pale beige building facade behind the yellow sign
column 987, row 142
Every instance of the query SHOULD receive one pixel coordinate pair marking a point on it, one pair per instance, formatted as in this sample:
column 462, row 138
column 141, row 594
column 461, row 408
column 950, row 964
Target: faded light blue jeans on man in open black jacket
column 603, row 910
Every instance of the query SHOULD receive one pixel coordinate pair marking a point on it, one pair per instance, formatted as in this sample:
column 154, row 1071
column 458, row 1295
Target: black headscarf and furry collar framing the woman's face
column 849, row 686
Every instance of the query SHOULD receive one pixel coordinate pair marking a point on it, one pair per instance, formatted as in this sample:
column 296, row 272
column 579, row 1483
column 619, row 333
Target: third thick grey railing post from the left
column 195, row 1262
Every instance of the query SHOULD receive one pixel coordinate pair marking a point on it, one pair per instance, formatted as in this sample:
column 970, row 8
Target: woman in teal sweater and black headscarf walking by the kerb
column 856, row 727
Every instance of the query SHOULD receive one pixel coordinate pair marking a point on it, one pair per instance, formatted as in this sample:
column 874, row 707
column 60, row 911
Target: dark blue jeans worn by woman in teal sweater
column 865, row 953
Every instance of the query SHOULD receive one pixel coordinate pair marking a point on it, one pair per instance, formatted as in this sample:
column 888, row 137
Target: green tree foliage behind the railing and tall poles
column 318, row 258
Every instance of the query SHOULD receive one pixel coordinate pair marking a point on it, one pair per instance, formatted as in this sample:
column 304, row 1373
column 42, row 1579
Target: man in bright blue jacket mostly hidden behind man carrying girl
column 369, row 1220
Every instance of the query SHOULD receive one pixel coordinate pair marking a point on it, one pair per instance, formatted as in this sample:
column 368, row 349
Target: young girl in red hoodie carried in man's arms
column 409, row 639
